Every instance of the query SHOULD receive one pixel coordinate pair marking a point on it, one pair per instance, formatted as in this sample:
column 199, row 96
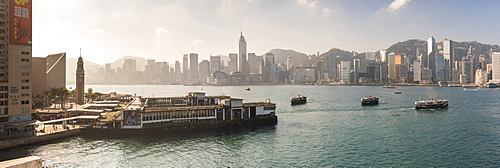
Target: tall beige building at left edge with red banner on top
column 15, row 61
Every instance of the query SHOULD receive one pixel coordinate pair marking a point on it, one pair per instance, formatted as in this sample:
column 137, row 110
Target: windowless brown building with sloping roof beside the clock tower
column 48, row 72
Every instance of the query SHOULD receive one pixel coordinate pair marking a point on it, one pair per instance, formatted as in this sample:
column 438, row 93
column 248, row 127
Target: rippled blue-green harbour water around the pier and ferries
column 332, row 129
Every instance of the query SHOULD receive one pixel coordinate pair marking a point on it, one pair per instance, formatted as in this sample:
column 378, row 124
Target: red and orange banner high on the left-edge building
column 20, row 21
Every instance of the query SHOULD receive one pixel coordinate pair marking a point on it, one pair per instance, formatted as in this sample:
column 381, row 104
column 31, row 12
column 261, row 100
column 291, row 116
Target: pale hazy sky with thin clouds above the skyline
column 164, row 30
